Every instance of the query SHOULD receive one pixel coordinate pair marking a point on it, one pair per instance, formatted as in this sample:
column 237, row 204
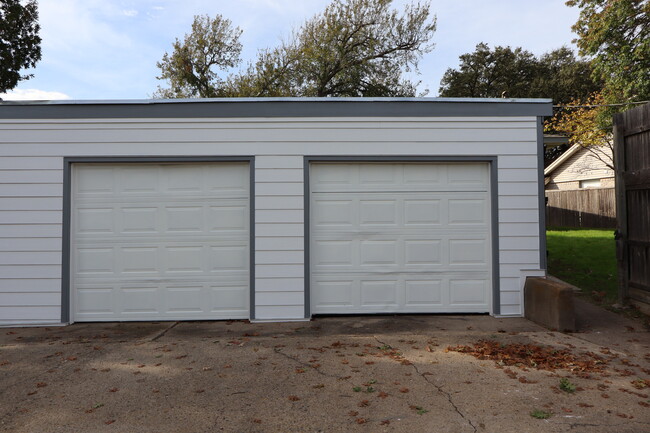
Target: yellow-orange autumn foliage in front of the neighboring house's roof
column 580, row 121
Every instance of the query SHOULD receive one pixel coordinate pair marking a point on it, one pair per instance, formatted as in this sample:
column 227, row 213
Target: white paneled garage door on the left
column 160, row 241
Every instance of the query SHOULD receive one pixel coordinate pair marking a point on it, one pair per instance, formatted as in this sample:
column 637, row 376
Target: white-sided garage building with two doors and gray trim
column 268, row 209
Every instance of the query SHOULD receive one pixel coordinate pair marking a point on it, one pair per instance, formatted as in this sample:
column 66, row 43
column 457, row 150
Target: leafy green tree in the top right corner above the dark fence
column 616, row 34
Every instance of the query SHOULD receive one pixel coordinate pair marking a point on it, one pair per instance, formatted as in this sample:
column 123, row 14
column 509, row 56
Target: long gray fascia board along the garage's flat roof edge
column 276, row 108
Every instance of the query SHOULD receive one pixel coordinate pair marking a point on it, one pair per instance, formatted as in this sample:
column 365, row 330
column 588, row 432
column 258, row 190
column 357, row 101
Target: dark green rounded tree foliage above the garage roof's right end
column 517, row 73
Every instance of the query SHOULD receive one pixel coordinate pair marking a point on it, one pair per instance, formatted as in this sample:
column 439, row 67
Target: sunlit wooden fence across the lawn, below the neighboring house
column 585, row 208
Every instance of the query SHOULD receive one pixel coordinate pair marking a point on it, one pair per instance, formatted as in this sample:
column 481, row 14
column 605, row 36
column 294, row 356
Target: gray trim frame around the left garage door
column 67, row 210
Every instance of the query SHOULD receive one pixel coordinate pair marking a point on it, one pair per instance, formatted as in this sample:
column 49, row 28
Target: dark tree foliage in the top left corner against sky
column 20, row 44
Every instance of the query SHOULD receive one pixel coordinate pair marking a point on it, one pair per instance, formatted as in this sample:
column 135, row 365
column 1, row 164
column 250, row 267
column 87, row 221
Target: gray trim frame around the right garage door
column 494, row 207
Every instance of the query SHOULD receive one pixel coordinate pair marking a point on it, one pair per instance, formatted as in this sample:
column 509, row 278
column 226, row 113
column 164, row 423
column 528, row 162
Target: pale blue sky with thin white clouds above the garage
column 108, row 49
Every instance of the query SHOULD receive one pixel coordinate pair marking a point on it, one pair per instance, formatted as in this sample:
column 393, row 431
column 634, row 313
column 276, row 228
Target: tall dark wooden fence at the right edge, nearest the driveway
column 632, row 158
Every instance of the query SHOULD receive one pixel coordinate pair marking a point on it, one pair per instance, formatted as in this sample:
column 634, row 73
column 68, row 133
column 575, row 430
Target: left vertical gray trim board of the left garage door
column 65, row 247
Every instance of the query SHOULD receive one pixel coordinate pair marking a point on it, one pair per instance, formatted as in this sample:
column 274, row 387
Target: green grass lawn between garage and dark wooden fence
column 585, row 258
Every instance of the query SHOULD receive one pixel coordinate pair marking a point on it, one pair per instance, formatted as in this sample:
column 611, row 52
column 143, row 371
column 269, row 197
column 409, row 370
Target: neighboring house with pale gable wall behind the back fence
column 580, row 168
